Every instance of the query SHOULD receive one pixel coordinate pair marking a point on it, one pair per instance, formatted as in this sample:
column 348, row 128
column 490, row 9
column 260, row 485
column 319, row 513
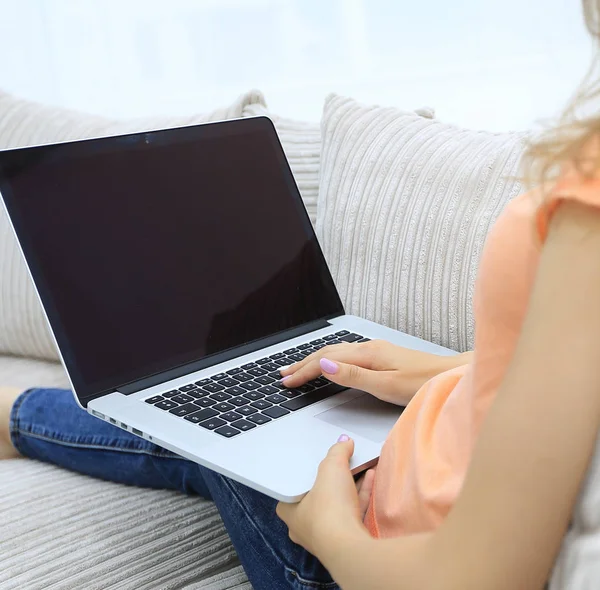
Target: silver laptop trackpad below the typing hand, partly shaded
column 365, row 415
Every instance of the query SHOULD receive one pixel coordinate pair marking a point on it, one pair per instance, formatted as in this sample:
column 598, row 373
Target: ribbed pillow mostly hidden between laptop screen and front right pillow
column 302, row 145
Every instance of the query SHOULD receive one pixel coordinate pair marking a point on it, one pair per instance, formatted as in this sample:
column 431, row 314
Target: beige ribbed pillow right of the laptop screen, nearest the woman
column 405, row 205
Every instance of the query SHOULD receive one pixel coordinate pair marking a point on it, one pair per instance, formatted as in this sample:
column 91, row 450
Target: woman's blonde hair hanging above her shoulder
column 564, row 143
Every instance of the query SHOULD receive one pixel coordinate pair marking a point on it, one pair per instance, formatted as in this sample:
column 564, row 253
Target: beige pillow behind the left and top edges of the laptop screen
column 23, row 329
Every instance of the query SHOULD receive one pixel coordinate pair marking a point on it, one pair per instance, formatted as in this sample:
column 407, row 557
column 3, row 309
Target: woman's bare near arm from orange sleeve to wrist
column 507, row 525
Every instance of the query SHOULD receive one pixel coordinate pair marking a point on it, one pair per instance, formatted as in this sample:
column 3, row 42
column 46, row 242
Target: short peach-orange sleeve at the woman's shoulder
column 569, row 187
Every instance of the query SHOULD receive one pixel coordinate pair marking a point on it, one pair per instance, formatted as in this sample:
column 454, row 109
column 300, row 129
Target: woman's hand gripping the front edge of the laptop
column 334, row 508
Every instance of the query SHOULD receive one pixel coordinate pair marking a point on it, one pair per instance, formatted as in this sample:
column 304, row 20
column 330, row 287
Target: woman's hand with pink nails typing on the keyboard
column 391, row 373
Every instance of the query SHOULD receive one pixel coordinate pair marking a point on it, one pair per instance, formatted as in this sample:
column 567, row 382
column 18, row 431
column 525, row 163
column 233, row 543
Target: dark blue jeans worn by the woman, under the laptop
column 48, row 425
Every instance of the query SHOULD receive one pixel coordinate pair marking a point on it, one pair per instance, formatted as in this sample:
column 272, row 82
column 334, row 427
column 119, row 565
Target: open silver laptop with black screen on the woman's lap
column 179, row 271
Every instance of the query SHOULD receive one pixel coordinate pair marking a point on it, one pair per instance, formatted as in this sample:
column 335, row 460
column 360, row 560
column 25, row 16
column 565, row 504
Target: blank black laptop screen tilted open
column 157, row 249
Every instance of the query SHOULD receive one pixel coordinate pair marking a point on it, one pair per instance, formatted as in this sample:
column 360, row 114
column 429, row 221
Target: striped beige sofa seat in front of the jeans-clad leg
column 62, row 531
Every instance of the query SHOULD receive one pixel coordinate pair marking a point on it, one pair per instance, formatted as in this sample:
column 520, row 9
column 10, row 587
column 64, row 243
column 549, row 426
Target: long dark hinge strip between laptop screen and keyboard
column 221, row 357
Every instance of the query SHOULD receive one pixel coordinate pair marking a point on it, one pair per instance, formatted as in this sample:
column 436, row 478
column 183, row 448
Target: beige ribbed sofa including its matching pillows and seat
column 401, row 204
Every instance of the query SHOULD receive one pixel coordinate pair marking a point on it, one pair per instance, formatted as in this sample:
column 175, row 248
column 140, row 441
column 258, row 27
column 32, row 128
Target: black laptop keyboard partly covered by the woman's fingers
column 251, row 395
